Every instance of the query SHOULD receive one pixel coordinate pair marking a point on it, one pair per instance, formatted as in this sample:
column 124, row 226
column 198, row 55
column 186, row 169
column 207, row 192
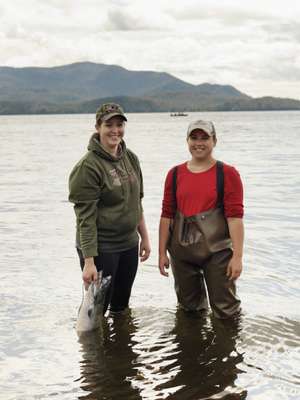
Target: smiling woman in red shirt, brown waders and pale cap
column 201, row 227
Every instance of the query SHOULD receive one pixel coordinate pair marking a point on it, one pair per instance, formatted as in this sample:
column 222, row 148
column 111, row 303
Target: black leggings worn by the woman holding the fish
column 122, row 267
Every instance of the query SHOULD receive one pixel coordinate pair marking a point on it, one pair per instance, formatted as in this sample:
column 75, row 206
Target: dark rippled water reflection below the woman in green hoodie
column 108, row 359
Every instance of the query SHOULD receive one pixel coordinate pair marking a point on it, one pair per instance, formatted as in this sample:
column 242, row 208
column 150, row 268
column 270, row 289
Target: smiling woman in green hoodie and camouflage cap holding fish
column 106, row 187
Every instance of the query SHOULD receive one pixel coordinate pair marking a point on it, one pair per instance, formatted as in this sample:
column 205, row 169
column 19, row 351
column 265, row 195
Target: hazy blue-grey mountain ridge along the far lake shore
column 77, row 87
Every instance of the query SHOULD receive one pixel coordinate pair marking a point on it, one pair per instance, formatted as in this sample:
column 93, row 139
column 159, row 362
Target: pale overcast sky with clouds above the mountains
column 252, row 45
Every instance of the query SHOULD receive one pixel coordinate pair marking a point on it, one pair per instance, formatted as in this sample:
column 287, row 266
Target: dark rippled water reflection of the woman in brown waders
column 207, row 359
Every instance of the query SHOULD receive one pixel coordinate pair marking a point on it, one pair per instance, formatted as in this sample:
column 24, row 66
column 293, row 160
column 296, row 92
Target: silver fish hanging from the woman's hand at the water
column 90, row 313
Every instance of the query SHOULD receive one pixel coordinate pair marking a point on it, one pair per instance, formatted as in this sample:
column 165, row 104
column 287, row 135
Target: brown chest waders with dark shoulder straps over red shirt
column 200, row 248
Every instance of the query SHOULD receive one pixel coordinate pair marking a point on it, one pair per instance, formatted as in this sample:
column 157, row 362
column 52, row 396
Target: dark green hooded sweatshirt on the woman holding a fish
column 106, row 192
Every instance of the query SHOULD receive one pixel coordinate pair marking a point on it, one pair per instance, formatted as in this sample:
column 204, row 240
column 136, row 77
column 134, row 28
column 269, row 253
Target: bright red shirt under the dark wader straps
column 197, row 192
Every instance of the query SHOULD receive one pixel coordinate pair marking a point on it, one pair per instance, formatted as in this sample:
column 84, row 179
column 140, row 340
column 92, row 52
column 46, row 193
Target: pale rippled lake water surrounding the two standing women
column 153, row 352
